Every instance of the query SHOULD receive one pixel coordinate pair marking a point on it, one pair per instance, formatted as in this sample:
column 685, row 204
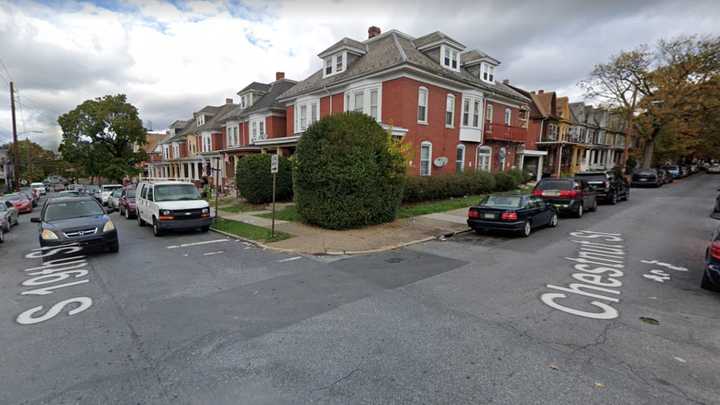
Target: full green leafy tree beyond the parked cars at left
column 100, row 136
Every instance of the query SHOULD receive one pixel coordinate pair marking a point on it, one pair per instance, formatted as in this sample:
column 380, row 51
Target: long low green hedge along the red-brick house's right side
column 445, row 186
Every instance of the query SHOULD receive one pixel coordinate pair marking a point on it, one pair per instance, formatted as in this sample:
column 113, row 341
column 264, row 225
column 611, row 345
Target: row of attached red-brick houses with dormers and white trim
column 431, row 92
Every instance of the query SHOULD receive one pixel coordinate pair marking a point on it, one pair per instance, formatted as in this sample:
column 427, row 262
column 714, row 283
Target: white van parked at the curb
column 171, row 205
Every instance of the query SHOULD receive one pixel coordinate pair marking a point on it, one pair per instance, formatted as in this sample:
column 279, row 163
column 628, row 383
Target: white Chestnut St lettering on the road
column 599, row 261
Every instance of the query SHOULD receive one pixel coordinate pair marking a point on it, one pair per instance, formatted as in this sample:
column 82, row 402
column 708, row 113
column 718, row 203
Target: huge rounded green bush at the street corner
column 348, row 173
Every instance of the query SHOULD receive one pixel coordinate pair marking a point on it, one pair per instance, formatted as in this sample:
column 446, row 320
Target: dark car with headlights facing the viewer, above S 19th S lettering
column 79, row 220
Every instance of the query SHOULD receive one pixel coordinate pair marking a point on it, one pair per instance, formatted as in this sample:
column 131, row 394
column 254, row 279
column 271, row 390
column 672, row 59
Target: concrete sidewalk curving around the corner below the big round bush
column 402, row 232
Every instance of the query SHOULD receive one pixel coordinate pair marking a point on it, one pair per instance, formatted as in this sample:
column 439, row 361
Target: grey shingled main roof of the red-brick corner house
column 389, row 50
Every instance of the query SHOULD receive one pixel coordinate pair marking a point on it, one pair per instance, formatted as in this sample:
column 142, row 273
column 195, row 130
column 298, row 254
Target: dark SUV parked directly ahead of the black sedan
column 567, row 195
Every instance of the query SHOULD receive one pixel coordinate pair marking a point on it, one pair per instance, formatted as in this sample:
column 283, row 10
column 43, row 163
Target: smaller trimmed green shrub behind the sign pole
column 254, row 180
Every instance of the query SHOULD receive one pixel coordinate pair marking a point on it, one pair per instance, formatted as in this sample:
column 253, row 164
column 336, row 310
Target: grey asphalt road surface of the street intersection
column 455, row 321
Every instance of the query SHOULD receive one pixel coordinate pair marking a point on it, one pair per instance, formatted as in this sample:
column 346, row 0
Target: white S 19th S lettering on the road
column 43, row 282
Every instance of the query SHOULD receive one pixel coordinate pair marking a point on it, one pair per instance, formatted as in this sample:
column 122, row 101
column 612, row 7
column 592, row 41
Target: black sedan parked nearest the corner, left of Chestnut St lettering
column 512, row 212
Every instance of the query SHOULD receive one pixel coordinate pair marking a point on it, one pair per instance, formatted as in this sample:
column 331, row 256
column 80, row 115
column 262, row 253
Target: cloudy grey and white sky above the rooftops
column 172, row 58
